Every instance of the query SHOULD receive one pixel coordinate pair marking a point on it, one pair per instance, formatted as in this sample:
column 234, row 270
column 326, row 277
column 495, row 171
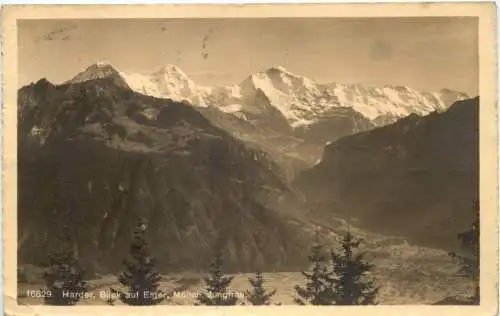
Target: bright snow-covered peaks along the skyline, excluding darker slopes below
column 299, row 101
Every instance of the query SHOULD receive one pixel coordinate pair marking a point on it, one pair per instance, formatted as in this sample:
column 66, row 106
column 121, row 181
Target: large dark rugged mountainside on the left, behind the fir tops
column 96, row 156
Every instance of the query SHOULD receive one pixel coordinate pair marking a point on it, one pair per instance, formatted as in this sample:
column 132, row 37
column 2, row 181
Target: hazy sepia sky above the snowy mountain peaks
column 423, row 53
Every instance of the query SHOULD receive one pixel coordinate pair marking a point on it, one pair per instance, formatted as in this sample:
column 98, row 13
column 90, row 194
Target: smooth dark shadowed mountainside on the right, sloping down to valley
column 415, row 178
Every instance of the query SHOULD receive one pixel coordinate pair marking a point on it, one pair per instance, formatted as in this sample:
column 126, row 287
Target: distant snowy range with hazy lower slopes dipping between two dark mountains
column 290, row 117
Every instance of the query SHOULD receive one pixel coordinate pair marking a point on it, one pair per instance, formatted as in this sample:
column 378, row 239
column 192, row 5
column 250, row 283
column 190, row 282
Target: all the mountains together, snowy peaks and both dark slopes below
column 227, row 167
